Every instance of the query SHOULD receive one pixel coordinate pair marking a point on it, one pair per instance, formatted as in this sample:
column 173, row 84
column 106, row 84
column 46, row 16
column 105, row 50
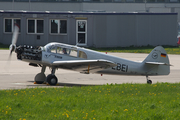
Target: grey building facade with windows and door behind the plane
column 88, row 24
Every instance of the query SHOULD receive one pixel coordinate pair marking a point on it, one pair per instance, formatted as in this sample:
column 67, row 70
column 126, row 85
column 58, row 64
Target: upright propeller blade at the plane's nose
column 12, row 47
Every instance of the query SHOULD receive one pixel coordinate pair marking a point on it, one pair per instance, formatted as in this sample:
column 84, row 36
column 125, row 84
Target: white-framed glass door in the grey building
column 81, row 32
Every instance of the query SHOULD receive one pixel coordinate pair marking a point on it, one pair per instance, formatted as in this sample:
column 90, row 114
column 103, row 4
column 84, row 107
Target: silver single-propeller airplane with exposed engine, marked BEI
column 71, row 57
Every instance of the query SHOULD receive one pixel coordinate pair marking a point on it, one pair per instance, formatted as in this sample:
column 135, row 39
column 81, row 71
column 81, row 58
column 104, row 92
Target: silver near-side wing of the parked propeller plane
column 84, row 66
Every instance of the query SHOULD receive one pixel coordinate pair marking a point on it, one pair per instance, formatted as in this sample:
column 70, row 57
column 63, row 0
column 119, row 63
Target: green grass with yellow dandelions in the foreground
column 159, row 101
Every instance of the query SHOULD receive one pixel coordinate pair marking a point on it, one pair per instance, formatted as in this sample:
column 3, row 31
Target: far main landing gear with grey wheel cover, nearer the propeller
column 40, row 77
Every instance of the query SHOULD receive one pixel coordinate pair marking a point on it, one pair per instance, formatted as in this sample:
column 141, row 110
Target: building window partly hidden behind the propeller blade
column 9, row 24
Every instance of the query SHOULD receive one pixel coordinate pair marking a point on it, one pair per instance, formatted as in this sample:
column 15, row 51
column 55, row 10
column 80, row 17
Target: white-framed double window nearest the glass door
column 58, row 26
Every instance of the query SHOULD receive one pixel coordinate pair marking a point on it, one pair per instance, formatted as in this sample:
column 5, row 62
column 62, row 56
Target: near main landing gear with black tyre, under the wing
column 51, row 78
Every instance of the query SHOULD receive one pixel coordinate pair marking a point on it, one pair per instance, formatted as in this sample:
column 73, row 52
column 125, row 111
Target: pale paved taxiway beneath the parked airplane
column 16, row 74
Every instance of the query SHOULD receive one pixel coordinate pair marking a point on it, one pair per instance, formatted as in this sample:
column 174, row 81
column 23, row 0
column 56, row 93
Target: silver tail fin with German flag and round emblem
column 158, row 61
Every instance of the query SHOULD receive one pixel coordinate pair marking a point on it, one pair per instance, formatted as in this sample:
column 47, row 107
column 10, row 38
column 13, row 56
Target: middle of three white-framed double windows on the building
column 35, row 26
